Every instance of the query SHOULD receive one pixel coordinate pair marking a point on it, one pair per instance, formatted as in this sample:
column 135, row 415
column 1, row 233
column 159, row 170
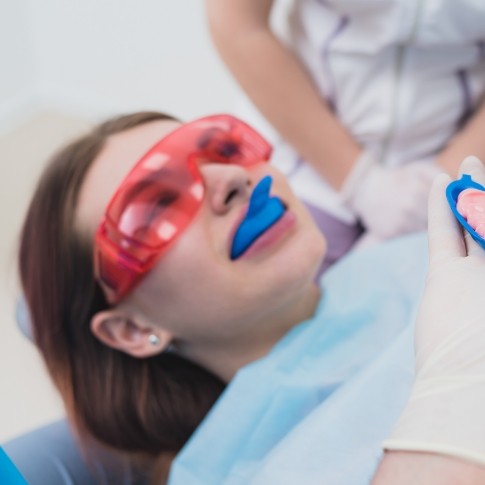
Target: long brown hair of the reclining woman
column 147, row 405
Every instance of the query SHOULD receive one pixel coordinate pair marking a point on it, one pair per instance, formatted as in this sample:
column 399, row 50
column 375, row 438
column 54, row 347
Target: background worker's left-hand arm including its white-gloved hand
column 283, row 91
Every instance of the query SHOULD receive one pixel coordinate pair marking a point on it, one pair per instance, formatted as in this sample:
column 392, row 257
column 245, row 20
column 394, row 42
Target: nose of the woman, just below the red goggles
column 226, row 185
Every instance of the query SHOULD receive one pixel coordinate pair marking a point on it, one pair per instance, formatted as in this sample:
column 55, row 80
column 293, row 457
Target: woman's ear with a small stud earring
column 129, row 335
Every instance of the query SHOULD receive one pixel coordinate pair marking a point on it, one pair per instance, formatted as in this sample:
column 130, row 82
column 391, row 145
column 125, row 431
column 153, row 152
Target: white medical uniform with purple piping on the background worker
column 401, row 75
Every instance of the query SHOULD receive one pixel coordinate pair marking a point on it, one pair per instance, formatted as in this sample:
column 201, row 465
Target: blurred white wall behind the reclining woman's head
column 103, row 56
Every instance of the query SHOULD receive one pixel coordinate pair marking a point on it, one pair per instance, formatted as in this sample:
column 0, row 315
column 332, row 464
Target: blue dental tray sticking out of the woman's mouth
column 263, row 212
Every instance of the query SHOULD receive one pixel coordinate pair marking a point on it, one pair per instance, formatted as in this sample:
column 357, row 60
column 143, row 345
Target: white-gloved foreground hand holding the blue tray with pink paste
column 446, row 411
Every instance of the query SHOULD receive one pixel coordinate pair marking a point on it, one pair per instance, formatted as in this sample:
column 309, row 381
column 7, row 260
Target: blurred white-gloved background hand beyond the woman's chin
column 389, row 201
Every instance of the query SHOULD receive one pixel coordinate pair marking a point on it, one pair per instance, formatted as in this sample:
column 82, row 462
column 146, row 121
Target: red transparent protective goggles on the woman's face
column 161, row 195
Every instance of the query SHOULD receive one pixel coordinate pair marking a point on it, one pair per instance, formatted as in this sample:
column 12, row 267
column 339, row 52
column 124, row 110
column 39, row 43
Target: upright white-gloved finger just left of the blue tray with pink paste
column 445, row 238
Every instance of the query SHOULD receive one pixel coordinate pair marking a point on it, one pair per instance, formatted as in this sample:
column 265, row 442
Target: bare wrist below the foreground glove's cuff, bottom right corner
column 404, row 468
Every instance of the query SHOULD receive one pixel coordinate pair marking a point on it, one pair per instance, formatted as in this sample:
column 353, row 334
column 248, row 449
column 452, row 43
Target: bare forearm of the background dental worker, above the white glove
column 280, row 87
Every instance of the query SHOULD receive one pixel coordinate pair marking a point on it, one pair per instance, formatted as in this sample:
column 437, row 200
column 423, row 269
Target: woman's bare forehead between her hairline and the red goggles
column 111, row 166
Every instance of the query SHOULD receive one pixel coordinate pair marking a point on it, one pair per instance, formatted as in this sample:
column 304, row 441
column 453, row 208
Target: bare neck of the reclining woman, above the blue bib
column 236, row 352
